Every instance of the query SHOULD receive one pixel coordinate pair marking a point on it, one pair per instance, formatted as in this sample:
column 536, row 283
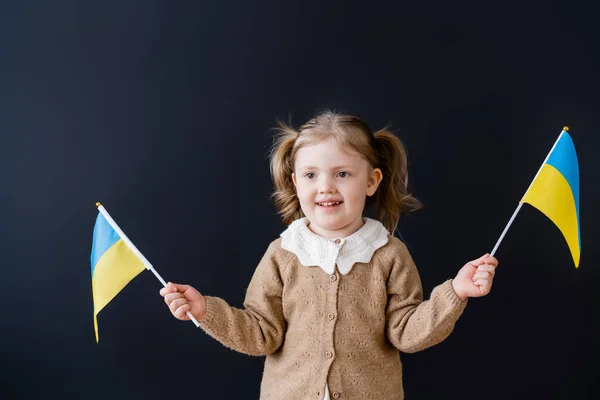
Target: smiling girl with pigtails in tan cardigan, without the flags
column 337, row 296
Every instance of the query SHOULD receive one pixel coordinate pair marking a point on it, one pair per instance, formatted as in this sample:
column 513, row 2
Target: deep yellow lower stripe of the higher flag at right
column 551, row 194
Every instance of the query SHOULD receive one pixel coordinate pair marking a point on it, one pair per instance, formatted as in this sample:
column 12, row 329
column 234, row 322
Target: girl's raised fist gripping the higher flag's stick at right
column 475, row 278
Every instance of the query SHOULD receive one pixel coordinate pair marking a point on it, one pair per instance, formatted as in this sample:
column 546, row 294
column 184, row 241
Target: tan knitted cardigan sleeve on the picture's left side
column 259, row 328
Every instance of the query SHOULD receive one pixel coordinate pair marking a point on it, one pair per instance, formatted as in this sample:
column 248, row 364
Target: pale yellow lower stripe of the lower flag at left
column 114, row 270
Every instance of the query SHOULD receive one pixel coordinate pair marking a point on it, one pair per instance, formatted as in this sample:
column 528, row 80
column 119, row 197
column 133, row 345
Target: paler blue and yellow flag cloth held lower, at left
column 114, row 265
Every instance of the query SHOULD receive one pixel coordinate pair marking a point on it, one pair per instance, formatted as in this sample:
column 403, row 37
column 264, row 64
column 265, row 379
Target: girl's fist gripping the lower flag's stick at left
column 183, row 298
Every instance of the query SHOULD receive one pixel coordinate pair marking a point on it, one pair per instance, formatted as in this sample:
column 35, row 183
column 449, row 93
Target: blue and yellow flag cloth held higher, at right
column 555, row 191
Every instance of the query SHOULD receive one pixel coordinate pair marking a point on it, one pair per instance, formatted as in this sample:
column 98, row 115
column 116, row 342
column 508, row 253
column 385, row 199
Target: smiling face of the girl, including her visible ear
column 332, row 184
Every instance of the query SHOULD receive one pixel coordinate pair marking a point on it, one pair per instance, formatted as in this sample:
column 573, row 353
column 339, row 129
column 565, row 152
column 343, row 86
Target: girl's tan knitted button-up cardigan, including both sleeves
column 343, row 330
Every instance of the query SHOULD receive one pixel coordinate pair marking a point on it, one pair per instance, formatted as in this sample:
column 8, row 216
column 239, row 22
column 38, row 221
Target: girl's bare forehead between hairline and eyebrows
column 327, row 153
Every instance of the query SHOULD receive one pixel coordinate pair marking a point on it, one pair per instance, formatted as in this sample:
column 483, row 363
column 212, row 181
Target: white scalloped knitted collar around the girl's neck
column 317, row 251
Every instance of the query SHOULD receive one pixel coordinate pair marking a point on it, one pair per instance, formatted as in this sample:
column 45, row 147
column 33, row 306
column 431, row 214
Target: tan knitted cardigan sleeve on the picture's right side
column 413, row 324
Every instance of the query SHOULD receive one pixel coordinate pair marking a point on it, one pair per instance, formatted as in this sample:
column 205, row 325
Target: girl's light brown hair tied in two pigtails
column 381, row 149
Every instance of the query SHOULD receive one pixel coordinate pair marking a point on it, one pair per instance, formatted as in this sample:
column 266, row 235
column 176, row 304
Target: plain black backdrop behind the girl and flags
column 162, row 111
